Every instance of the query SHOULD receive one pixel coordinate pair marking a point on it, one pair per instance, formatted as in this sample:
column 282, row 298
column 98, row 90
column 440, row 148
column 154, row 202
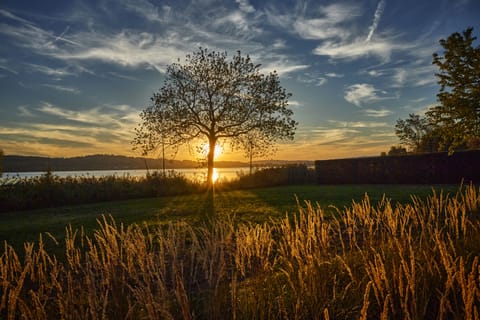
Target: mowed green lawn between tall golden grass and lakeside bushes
column 251, row 206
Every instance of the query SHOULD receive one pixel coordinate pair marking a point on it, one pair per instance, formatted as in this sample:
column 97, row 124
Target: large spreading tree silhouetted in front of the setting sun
column 212, row 98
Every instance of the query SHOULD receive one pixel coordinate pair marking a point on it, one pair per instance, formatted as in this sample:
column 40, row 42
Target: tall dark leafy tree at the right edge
column 457, row 117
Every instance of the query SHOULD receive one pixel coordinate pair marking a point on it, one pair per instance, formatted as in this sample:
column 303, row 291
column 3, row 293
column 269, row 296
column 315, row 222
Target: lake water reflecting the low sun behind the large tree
column 193, row 174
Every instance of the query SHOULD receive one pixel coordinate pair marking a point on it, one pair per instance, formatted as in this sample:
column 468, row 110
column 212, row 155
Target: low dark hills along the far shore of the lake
column 15, row 163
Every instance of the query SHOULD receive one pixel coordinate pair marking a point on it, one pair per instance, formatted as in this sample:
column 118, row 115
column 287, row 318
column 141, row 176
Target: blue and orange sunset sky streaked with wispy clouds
column 75, row 75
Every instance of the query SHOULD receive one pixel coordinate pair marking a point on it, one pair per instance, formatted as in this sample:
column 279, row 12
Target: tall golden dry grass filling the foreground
column 413, row 261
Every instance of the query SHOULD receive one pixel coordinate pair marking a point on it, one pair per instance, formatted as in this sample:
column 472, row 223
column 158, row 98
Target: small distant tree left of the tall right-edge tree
column 412, row 131
